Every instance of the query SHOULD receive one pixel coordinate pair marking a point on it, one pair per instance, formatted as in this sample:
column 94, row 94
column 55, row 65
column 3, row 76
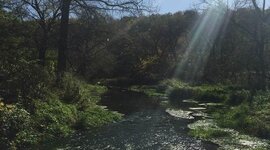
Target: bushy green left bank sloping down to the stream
column 64, row 109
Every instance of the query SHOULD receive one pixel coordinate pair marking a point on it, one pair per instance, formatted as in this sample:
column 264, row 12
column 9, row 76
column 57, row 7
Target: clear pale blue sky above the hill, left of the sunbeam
column 166, row 6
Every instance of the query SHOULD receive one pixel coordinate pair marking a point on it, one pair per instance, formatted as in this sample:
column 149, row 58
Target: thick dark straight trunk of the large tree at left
column 62, row 49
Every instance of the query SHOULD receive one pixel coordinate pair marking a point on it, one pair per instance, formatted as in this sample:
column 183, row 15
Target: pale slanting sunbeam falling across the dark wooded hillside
column 209, row 26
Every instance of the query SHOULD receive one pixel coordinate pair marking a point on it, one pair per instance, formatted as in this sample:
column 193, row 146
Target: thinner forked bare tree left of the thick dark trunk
column 44, row 12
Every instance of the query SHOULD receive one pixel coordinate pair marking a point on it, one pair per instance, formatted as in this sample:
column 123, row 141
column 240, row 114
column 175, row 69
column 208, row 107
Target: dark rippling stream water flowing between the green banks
column 146, row 125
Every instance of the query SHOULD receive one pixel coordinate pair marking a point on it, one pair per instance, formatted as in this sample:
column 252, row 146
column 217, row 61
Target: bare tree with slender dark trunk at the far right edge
column 256, row 27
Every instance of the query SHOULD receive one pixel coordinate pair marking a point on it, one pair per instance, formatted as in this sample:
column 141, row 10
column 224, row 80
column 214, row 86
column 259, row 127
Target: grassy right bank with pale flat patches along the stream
column 235, row 114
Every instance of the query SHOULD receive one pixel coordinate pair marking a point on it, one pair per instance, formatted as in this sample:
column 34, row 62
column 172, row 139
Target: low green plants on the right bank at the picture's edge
column 245, row 118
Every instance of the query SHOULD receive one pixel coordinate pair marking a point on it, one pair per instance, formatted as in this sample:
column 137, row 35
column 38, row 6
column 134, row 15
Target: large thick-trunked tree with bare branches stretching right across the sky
column 130, row 6
